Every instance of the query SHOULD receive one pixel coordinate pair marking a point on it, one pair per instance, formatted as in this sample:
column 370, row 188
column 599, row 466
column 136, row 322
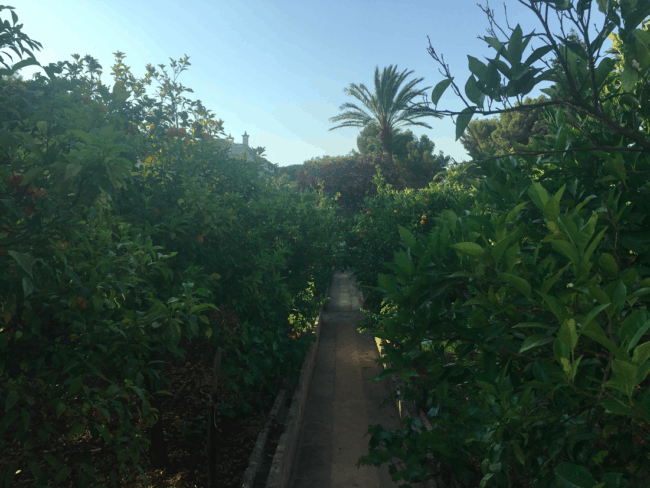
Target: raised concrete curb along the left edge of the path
column 285, row 452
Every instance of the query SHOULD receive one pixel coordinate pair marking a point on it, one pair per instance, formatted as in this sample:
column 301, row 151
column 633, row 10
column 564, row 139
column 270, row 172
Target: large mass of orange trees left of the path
column 127, row 231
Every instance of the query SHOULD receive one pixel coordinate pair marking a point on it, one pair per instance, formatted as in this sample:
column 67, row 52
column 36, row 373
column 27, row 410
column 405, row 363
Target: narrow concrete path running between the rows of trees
column 342, row 402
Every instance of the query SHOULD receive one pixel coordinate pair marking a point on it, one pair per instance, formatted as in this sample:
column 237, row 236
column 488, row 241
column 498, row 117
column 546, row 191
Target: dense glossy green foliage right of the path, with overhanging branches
column 539, row 284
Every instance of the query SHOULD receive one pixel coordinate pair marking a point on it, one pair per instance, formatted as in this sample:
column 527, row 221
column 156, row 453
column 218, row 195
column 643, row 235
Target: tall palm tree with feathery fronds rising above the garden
column 387, row 107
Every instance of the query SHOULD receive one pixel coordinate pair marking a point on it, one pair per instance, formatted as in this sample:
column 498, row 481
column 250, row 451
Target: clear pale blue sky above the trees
column 275, row 69
